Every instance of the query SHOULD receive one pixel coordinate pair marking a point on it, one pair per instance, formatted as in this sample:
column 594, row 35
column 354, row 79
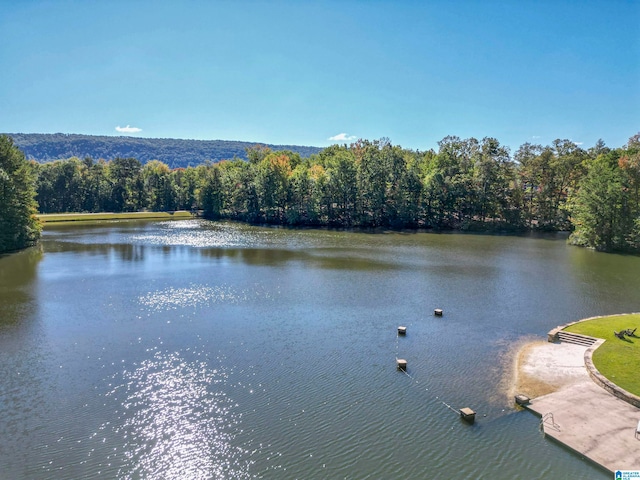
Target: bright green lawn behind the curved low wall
column 618, row 360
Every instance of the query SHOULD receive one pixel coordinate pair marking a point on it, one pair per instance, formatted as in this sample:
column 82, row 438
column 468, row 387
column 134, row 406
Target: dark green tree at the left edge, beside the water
column 19, row 226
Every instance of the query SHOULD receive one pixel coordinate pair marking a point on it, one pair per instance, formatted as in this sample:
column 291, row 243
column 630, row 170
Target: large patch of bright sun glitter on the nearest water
column 176, row 422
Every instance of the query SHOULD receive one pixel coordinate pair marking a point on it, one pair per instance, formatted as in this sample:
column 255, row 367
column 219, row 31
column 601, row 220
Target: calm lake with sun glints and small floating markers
column 196, row 350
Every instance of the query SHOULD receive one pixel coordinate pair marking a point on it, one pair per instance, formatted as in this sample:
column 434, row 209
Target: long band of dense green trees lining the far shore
column 467, row 184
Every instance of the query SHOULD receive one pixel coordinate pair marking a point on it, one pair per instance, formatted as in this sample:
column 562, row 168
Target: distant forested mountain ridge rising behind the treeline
column 176, row 153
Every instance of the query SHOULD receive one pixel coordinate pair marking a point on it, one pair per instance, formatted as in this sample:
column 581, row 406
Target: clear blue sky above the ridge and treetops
column 317, row 73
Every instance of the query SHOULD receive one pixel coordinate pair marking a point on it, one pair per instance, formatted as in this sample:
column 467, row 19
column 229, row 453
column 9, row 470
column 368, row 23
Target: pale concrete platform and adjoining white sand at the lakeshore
column 583, row 415
